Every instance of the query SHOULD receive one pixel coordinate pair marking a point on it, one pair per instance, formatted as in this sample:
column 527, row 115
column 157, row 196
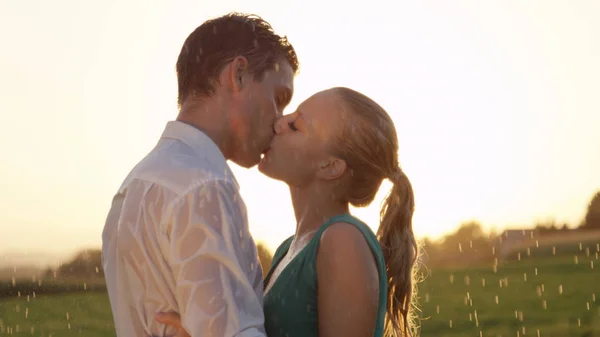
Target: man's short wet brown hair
column 218, row 41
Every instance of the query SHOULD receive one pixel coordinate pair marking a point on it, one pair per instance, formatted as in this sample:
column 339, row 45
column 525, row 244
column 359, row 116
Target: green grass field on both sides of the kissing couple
column 535, row 296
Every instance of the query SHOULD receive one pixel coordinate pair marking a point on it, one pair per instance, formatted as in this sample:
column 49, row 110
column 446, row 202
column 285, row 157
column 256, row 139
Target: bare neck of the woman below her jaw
column 313, row 208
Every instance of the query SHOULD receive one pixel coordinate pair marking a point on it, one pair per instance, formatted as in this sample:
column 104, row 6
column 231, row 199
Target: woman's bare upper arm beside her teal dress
column 348, row 285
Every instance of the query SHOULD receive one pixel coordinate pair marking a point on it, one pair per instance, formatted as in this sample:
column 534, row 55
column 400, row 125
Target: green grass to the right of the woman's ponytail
column 542, row 297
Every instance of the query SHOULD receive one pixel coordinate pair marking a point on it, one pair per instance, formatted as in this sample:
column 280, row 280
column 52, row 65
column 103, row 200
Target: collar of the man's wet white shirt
column 199, row 141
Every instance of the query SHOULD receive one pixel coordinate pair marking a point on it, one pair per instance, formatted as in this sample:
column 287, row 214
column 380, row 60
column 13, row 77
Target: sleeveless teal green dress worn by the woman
column 290, row 306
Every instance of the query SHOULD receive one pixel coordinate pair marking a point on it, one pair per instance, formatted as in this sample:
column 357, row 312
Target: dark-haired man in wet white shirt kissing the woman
column 176, row 237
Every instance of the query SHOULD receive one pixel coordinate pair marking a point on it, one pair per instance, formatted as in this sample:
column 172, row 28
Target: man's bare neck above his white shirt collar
column 211, row 120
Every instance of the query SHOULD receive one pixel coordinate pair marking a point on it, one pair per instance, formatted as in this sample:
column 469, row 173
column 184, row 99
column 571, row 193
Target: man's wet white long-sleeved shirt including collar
column 176, row 239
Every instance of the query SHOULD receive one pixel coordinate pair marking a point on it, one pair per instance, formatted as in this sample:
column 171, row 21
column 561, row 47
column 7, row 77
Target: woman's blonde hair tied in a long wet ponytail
column 369, row 145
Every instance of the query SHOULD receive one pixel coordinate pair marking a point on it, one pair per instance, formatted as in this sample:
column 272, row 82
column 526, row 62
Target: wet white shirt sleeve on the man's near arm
column 212, row 257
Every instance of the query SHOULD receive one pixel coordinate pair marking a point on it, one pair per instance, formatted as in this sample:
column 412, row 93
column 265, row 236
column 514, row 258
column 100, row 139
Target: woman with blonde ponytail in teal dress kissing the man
column 335, row 277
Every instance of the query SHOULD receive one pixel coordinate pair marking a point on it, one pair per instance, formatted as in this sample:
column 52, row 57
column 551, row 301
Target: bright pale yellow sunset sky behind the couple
column 497, row 105
